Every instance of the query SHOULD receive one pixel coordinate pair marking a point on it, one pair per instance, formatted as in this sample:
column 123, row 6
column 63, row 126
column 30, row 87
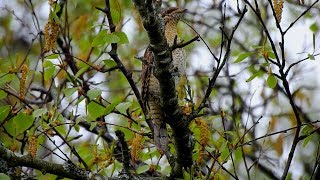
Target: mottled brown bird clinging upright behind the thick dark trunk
column 150, row 91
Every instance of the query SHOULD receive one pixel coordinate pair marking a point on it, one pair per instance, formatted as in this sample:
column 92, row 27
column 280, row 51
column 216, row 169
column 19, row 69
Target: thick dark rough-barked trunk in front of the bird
column 154, row 26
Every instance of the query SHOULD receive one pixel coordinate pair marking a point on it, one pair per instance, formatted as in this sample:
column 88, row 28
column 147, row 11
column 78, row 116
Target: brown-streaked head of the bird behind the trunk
column 173, row 14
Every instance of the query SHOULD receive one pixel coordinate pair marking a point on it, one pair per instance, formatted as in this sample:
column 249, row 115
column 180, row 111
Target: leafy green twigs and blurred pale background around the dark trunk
column 59, row 113
